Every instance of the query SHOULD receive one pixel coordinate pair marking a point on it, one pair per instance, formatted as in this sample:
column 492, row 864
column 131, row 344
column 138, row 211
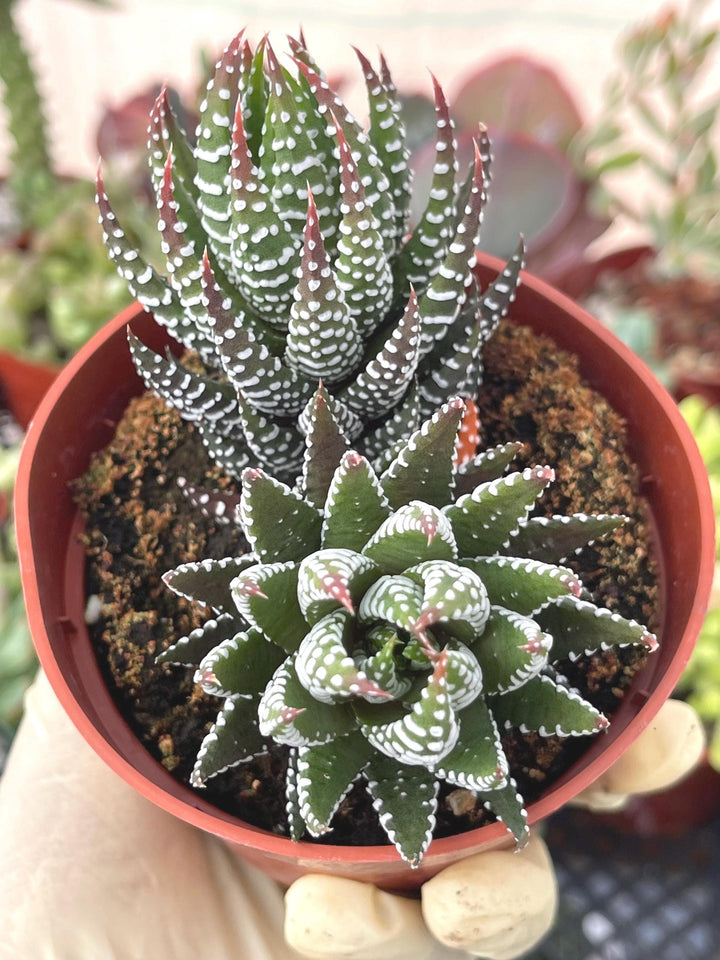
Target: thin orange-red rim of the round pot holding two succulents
column 643, row 705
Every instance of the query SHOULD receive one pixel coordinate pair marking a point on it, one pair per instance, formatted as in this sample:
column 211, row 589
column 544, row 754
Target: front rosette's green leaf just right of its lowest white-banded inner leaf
column 477, row 762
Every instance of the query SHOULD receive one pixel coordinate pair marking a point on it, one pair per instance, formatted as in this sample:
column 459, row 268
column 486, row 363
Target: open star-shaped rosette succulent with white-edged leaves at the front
column 389, row 626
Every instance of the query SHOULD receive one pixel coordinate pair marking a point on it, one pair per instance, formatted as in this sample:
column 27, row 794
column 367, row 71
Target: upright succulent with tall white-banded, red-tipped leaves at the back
column 284, row 232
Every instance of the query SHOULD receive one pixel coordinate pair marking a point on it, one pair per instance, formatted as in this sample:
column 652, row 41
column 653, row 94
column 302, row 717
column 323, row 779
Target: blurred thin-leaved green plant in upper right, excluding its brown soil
column 656, row 120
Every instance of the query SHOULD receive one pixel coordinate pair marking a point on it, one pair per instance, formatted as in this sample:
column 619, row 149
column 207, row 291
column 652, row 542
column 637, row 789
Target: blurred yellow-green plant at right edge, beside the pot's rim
column 700, row 683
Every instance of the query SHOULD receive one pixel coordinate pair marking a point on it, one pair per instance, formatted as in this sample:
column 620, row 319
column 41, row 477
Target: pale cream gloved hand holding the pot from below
column 93, row 871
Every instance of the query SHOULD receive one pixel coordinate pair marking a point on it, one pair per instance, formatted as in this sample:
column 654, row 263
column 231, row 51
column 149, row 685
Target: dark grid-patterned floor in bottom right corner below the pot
column 623, row 897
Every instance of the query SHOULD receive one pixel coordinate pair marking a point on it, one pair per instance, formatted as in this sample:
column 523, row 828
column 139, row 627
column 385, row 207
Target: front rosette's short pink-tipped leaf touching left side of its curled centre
column 265, row 595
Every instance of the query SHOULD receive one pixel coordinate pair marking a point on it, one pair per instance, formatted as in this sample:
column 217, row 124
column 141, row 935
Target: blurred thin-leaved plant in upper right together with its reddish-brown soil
column 658, row 132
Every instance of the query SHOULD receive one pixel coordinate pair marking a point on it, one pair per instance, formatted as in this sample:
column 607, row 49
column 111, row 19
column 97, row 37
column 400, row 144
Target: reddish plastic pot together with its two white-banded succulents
column 387, row 604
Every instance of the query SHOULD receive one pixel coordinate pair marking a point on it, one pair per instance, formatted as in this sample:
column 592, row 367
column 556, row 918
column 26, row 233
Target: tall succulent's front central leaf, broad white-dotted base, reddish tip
column 323, row 338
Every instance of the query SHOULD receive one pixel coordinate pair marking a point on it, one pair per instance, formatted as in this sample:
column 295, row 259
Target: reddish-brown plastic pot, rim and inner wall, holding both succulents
column 78, row 417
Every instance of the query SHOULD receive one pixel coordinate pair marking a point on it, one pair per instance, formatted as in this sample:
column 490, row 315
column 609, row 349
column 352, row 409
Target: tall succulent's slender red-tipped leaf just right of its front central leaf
column 362, row 268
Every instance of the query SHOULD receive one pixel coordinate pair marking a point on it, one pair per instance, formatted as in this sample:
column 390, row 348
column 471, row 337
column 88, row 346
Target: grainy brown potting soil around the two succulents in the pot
column 139, row 524
